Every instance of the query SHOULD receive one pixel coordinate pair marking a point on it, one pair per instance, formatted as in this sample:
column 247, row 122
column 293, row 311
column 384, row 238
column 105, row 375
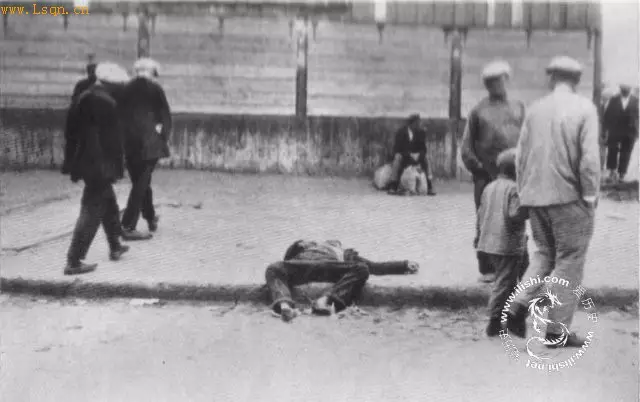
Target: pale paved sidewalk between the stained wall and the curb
column 225, row 229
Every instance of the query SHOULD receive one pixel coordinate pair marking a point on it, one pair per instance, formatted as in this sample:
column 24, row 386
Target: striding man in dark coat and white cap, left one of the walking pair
column 94, row 154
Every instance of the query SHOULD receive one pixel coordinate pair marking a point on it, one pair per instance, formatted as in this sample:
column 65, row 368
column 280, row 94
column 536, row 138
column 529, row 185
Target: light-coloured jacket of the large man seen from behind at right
column 556, row 132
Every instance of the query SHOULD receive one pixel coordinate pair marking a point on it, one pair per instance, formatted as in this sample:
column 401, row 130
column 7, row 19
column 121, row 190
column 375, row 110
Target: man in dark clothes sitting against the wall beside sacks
column 410, row 148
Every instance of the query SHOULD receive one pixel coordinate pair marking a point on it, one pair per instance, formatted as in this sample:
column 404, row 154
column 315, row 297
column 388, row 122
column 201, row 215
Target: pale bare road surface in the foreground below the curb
column 73, row 350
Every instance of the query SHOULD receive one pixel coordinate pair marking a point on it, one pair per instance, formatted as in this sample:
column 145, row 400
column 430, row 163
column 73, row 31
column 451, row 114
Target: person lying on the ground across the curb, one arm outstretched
column 310, row 261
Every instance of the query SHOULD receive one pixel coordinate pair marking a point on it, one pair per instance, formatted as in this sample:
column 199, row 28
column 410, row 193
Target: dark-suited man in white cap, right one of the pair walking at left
column 147, row 120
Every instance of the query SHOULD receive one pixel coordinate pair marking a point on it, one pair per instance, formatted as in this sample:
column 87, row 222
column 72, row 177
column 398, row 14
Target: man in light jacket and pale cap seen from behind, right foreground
column 558, row 177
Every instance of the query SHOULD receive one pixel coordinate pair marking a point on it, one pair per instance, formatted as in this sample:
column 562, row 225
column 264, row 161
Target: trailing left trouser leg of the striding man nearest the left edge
column 91, row 212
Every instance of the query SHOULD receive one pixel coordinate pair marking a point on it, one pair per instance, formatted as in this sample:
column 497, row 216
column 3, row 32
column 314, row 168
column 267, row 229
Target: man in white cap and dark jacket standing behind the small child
column 493, row 126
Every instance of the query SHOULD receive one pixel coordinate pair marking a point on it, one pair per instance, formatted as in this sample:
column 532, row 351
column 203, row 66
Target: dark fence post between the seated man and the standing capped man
column 455, row 97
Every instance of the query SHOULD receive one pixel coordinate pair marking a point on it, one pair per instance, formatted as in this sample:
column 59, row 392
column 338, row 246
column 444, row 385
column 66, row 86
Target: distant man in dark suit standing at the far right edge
column 621, row 126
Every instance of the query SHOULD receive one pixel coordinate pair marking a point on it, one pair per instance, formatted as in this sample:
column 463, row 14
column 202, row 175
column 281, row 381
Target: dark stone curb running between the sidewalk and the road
column 435, row 297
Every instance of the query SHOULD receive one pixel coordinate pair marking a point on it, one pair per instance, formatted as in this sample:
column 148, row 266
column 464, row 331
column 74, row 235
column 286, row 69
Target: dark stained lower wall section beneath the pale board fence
column 319, row 145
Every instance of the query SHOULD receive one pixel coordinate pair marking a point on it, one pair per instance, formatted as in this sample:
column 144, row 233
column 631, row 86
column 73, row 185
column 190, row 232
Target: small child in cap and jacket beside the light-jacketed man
column 502, row 236
